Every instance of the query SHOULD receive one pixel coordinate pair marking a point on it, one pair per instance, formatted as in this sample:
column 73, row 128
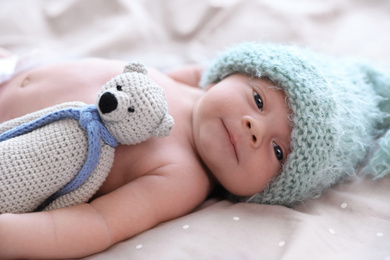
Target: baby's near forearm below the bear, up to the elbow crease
column 68, row 232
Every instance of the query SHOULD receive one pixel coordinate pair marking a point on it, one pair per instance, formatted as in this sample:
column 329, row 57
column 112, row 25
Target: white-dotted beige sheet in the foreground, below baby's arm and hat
column 351, row 221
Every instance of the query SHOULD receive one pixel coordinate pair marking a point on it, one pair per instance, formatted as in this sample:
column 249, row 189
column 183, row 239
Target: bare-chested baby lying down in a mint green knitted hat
column 276, row 125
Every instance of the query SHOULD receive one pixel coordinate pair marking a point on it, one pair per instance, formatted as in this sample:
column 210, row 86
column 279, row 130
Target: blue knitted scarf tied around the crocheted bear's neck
column 89, row 119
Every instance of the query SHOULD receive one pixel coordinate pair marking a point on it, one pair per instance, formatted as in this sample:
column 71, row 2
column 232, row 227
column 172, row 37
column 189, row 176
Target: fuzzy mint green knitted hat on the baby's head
column 340, row 108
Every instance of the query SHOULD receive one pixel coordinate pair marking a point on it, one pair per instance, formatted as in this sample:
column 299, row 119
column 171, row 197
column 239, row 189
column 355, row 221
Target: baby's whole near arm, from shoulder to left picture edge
column 90, row 228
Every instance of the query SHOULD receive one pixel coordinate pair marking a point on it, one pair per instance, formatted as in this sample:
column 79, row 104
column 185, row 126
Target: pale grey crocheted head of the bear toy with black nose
column 133, row 107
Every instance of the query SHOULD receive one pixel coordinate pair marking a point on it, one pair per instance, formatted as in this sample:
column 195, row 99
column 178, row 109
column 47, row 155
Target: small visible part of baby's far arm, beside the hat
column 189, row 74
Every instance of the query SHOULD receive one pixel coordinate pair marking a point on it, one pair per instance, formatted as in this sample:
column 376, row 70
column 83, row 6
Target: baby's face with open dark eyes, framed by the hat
column 242, row 132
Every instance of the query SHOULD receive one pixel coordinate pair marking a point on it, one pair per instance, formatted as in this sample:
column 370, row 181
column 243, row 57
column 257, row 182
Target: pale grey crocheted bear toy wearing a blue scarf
column 60, row 156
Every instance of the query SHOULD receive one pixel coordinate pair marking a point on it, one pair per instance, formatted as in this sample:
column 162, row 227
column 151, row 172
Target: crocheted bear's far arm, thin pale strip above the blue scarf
column 5, row 126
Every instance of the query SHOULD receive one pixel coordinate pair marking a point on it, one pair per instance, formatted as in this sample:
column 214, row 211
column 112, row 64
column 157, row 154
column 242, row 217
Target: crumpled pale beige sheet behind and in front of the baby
column 351, row 221
